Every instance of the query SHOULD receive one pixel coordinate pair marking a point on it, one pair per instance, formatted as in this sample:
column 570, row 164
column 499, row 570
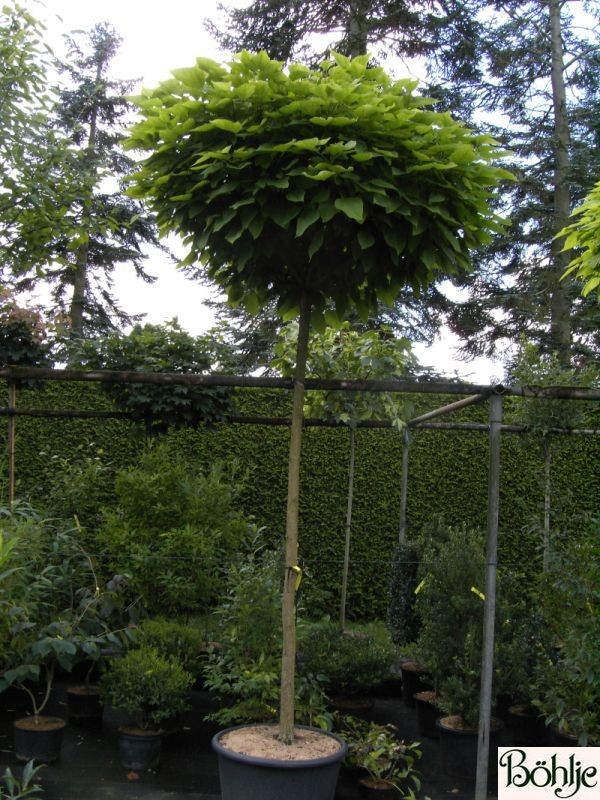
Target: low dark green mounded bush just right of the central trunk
column 351, row 662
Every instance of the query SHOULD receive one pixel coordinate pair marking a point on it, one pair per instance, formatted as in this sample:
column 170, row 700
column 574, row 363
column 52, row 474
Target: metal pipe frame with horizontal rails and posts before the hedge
column 474, row 394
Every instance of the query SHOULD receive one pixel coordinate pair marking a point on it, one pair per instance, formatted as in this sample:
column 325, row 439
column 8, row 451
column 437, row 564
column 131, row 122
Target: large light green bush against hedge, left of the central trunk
column 173, row 531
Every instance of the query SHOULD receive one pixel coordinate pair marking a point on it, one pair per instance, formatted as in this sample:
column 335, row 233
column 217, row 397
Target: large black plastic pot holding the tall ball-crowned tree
column 255, row 778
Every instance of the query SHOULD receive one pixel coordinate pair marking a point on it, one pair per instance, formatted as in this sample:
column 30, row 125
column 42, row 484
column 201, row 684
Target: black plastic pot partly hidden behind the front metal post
column 458, row 749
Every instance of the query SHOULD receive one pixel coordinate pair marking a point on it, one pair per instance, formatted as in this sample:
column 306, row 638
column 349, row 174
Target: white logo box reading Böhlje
column 548, row 773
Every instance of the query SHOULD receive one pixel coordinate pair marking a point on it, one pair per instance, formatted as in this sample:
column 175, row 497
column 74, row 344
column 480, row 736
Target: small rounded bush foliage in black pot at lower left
column 147, row 685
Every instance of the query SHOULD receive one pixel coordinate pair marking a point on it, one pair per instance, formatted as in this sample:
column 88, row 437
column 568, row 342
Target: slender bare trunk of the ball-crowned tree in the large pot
column 288, row 661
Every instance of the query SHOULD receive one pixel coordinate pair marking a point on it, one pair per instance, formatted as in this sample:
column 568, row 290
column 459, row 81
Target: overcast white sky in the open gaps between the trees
column 158, row 37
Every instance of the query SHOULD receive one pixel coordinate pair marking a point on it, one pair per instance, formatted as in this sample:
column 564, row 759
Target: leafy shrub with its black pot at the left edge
column 50, row 605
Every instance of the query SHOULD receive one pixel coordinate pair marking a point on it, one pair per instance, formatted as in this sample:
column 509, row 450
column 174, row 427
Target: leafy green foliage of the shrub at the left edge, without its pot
column 55, row 610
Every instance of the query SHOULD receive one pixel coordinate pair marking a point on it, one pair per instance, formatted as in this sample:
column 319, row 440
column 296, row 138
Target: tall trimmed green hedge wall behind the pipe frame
column 447, row 475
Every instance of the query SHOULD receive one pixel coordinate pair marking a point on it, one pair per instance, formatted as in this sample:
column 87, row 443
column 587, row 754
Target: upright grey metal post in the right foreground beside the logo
column 487, row 655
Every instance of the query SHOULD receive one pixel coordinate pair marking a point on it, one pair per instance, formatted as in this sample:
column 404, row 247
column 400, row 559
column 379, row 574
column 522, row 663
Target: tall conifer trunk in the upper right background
column 560, row 306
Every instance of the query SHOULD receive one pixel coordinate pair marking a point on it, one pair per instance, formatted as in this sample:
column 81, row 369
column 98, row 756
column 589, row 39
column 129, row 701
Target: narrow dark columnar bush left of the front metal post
column 402, row 618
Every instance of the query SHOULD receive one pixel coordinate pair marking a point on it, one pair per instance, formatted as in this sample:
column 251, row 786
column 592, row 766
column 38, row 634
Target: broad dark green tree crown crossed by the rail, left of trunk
column 157, row 348
